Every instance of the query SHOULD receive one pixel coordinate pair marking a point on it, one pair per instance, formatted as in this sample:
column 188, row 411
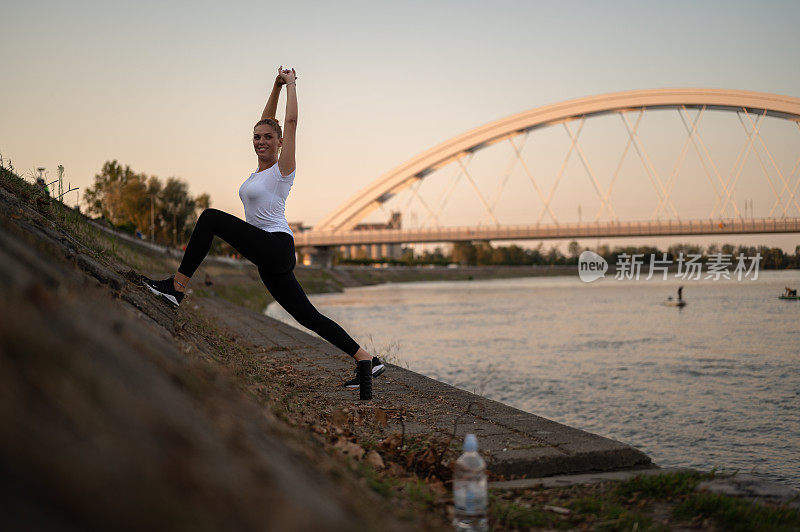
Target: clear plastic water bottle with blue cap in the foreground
column 469, row 488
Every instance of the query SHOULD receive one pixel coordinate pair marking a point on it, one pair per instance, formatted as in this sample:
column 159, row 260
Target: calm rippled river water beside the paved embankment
column 715, row 384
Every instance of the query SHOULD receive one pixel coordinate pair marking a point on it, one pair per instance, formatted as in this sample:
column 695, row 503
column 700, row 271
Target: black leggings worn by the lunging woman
column 273, row 253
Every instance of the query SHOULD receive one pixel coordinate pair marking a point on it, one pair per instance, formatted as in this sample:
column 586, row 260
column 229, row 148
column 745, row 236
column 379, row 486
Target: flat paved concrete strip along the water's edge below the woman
column 516, row 443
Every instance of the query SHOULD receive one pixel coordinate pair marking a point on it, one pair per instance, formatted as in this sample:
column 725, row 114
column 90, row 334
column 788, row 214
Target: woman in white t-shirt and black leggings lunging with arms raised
column 265, row 238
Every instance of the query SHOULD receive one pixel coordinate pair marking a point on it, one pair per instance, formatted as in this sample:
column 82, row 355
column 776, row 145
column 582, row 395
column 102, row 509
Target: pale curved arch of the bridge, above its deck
column 349, row 214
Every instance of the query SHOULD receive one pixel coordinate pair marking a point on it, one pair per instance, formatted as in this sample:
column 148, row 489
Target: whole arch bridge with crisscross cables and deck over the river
column 756, row 166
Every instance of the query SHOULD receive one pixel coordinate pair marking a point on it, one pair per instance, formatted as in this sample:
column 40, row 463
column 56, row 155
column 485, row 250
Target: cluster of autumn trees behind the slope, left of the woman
column 138, row 203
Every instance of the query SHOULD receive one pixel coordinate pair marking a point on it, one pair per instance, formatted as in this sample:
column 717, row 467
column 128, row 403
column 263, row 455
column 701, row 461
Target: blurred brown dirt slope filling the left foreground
column 112, row 419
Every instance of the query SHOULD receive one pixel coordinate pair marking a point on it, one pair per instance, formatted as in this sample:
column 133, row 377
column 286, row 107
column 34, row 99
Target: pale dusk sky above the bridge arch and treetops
column 173, row 88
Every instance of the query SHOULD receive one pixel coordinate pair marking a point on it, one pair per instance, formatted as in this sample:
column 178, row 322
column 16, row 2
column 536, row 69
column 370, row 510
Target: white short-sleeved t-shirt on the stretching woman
column 264, row 197
